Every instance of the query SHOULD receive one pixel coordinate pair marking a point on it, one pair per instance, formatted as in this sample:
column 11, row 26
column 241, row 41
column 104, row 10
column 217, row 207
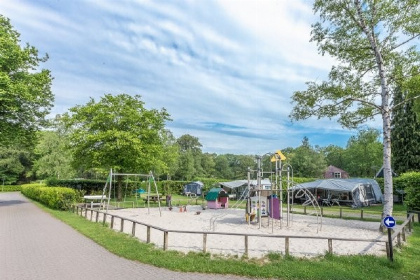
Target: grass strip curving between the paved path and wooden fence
column 405, row 265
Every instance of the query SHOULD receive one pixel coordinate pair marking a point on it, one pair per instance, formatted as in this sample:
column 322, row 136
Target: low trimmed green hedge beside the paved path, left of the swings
column 59, row 198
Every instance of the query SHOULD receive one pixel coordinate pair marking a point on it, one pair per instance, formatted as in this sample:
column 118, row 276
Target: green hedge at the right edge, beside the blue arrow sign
column 410, row 182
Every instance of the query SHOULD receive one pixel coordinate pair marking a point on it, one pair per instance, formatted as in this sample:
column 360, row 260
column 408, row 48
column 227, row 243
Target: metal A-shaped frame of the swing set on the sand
column 110, row 186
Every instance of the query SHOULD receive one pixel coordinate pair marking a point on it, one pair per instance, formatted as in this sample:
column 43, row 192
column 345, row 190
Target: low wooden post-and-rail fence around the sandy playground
column 83, row 211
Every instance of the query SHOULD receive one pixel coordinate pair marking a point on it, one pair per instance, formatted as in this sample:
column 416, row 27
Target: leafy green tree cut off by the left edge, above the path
column 25, row 94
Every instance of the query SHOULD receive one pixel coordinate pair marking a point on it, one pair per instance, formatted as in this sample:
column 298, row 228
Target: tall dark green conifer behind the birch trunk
column 405, row 135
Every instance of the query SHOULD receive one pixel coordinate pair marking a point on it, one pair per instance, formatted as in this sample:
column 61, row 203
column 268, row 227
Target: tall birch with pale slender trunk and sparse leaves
column 370, row 40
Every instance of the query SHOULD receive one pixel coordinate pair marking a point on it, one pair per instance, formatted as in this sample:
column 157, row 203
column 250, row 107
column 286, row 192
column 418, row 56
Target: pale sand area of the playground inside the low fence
column 233, row 221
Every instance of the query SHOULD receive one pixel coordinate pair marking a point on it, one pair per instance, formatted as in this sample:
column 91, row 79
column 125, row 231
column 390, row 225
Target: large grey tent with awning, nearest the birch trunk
column 358, row 191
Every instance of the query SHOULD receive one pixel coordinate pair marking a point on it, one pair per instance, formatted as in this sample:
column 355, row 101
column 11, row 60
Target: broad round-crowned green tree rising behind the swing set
column 117, row 132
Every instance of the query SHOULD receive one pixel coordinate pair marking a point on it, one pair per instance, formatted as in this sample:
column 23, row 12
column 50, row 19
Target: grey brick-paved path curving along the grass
column 34, row 245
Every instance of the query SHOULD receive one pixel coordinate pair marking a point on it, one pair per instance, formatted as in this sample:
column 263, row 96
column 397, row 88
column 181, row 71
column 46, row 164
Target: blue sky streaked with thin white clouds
column 224, row 70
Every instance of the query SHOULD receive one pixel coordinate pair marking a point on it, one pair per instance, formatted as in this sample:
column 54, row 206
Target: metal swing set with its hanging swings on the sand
column 110, row 187
